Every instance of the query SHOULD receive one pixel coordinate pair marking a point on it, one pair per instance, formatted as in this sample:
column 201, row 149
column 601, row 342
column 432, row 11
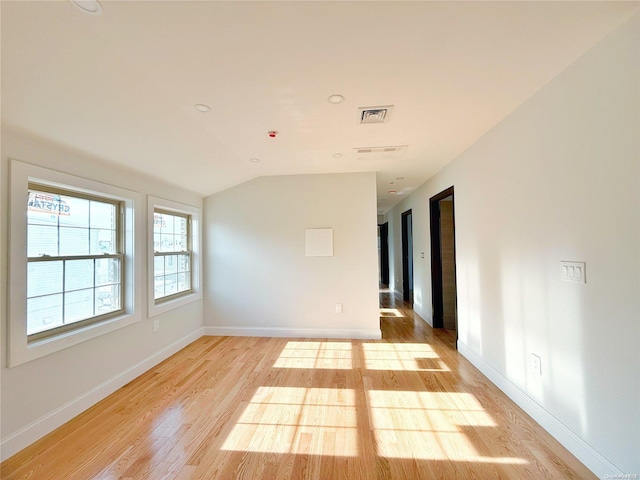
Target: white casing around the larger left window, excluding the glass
column 21, row 350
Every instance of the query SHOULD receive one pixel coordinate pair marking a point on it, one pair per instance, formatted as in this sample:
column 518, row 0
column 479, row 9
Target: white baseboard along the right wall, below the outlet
column 584, row 452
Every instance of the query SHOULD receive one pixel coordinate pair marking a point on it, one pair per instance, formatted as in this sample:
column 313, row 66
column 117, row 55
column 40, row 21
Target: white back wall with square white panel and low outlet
column 257, row 278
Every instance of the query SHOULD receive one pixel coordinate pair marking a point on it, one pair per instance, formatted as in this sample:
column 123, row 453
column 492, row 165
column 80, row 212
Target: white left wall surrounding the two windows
column 42, row 394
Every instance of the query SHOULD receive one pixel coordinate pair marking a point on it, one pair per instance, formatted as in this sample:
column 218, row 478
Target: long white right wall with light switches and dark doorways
column 558, row 179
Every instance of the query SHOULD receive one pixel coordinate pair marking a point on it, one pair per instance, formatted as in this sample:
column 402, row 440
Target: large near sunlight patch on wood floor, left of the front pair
column 312, row 421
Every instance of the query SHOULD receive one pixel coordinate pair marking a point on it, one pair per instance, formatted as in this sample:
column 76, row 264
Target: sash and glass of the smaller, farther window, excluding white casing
column 172, row 254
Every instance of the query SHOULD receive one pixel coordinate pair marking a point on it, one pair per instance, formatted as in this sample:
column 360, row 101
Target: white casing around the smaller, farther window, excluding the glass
column 156, row 307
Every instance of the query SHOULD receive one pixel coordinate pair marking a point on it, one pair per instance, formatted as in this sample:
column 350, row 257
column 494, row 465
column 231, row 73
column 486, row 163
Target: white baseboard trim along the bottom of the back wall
column 292, row 333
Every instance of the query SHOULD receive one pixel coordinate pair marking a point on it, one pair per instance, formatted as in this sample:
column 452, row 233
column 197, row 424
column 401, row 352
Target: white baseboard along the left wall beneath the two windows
column 15, row 442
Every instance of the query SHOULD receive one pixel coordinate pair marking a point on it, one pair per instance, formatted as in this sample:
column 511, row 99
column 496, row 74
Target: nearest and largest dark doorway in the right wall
column 443, row 260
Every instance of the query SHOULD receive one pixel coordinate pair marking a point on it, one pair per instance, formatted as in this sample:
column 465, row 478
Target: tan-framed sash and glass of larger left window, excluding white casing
column 75, row 256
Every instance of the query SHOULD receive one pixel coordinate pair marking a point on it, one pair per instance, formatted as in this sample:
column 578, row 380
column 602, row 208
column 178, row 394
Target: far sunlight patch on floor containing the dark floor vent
column 402, row 356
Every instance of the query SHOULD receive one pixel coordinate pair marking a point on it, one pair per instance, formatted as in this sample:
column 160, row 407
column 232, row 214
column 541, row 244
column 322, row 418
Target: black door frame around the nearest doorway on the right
column 436, row 256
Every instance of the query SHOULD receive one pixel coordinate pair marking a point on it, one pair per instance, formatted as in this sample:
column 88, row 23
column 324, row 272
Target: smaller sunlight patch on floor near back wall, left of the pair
column 329, row 355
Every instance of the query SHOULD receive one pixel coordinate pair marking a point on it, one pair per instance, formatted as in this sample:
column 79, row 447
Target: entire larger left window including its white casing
column 74, row 263
